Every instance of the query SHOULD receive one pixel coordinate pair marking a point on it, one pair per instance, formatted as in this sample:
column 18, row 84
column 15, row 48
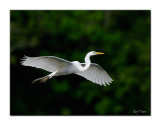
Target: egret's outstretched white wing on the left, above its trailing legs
column 48, row 63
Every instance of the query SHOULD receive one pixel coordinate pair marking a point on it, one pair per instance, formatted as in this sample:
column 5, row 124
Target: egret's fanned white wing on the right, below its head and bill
column 96, row 74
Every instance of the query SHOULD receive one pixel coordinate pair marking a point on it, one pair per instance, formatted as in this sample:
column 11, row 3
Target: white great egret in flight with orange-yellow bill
column 58, row 66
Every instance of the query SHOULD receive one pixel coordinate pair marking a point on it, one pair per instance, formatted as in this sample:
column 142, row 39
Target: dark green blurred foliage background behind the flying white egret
column 123, row 35
